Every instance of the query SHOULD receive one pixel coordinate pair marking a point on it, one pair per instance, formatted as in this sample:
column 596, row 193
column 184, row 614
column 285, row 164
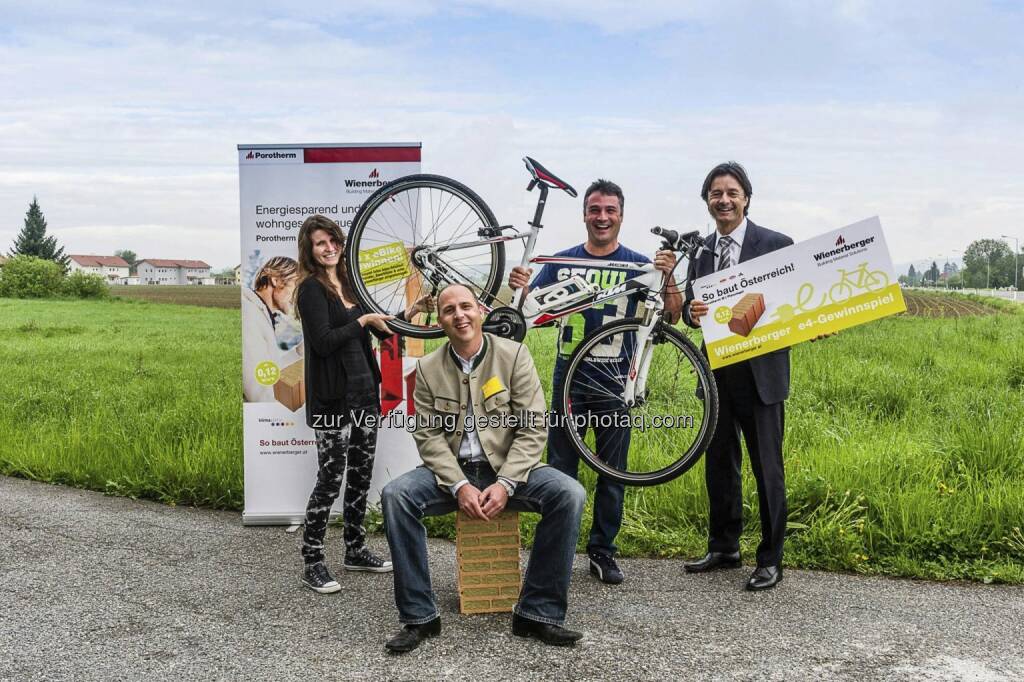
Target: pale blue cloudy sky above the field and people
column 123, row 119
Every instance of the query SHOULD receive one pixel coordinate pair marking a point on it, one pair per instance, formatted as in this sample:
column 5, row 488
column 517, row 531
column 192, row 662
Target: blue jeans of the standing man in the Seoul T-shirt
column 613, row 447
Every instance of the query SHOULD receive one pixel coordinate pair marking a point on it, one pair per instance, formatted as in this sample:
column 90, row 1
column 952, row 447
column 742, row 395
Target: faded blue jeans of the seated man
column 544, row 598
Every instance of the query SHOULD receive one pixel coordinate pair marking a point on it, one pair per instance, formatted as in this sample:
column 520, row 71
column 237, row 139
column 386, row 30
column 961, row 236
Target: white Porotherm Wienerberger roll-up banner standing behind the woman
column 280, row 187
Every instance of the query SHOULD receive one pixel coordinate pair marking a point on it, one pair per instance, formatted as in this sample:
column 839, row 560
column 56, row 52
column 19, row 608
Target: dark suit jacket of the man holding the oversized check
column 772, row 372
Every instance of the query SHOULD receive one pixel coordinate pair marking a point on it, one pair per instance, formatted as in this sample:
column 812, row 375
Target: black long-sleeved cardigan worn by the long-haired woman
column 342, row 371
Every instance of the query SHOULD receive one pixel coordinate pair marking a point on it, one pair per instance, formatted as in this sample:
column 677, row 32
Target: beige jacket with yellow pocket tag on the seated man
column 508, row 407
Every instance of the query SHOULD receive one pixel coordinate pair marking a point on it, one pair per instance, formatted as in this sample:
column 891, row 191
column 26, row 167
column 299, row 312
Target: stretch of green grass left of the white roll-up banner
column 132, row 399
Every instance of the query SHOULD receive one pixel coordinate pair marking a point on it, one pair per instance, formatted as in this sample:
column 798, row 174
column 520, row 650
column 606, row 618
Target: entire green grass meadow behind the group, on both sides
column 904, row 437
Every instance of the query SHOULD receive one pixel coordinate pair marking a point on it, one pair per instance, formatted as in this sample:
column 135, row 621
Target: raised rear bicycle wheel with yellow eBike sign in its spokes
column 400, row 248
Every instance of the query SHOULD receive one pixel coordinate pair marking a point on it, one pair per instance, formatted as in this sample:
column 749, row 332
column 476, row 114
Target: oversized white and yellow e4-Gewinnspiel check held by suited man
column 832, row 282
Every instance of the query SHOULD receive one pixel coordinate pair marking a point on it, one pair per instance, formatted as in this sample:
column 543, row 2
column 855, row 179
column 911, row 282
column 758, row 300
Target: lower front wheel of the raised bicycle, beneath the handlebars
column 671, row 421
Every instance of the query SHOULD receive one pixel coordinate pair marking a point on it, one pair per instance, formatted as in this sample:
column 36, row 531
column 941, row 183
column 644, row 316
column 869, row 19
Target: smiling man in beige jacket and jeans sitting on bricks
column 481, row 433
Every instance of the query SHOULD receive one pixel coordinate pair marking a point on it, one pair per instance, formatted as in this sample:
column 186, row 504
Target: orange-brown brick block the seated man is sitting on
column 488, row 555
